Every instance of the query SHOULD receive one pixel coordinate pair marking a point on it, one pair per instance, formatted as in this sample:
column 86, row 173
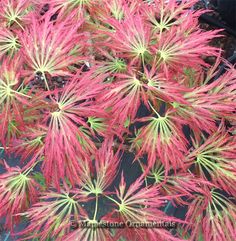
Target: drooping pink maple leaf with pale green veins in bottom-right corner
column 213, row 215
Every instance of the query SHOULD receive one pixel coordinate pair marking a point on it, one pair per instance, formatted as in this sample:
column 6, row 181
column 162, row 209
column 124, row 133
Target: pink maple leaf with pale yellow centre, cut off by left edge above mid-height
column 13, row 97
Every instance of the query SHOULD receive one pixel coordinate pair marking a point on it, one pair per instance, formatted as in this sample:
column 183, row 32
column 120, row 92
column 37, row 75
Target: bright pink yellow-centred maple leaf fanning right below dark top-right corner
column 175, row 50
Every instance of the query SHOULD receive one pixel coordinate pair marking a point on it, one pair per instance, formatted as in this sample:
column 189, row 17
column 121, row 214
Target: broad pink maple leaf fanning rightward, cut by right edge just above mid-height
column 208, row 102
